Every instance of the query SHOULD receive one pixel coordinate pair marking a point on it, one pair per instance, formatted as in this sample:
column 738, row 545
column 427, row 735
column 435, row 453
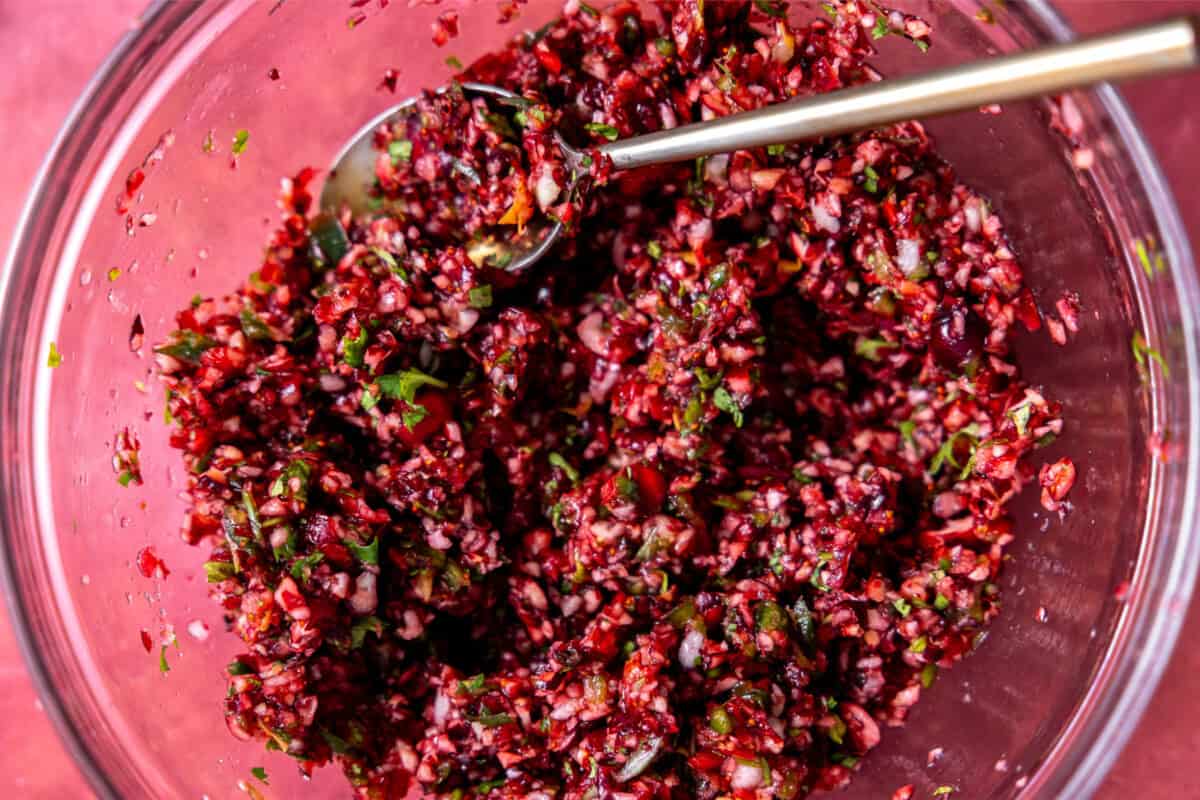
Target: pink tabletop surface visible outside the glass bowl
column 50, row 49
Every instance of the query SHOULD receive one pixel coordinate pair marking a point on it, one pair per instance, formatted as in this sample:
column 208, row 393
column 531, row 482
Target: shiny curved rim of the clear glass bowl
column 1106, row 718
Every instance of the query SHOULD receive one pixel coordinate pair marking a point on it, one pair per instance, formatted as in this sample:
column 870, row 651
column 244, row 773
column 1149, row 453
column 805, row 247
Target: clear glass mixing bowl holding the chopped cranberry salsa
column 1094, row 600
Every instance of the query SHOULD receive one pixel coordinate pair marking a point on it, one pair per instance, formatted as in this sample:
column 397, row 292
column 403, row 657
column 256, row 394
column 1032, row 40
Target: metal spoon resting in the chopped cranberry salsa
column 1150, row 50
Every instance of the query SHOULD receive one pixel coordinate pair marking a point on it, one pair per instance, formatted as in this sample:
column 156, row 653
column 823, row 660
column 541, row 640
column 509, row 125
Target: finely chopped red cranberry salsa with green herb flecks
column 697, row 508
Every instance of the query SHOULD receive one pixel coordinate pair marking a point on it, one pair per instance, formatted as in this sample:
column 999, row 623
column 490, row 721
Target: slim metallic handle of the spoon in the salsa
column 1150, row 50
